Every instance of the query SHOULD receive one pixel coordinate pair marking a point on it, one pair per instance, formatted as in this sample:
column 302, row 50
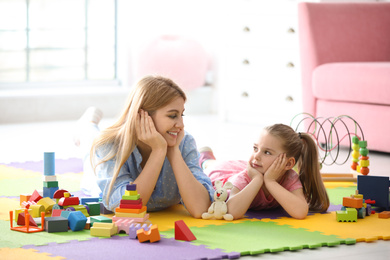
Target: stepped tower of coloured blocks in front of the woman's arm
column 131, row 206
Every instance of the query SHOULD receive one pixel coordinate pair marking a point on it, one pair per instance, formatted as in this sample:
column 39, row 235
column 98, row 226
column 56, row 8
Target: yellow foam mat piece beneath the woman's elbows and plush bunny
column 166, row 219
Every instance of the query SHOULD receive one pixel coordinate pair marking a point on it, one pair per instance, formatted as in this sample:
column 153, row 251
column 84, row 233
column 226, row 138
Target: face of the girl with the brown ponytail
column 265, row 151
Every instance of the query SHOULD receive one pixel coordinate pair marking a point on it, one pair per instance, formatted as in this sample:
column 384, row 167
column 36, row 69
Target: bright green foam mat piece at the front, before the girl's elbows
column 257, row 237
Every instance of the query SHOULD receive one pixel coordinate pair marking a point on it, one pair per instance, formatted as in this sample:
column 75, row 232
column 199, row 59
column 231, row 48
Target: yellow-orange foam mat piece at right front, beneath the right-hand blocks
column 369, row 229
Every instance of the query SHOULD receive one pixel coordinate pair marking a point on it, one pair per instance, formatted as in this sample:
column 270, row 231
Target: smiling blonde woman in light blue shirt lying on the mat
column 148, row 146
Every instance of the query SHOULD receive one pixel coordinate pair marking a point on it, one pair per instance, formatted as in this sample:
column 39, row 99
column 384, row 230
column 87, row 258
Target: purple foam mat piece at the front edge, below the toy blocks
column 121, row 247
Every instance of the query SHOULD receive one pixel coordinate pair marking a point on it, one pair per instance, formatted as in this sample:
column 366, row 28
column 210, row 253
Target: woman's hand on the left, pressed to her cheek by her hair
column 147, row 133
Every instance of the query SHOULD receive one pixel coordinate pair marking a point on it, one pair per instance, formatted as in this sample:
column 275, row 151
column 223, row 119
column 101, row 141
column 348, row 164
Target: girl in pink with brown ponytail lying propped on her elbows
column 268, row 179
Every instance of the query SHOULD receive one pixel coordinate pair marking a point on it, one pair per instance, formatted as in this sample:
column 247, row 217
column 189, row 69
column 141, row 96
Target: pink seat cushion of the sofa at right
column 362, row 82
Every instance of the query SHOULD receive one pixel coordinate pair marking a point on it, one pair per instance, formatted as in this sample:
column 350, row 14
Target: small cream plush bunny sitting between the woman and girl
column 218, row 208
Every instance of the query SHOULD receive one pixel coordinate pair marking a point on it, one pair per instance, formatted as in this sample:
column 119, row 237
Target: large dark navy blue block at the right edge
column 375, row 188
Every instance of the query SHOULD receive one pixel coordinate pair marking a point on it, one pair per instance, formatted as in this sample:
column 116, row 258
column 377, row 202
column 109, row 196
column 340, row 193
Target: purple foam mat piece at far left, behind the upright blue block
column 74, row 165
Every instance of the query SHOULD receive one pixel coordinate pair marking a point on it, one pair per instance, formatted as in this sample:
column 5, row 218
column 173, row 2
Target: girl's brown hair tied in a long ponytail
column 302, row 147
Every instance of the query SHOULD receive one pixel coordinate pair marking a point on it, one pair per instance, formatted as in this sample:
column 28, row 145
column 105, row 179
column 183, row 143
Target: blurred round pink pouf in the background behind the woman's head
column 182, row 59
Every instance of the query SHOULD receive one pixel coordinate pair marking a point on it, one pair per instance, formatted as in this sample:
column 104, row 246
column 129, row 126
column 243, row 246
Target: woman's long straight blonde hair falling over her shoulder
column 150, row 94
